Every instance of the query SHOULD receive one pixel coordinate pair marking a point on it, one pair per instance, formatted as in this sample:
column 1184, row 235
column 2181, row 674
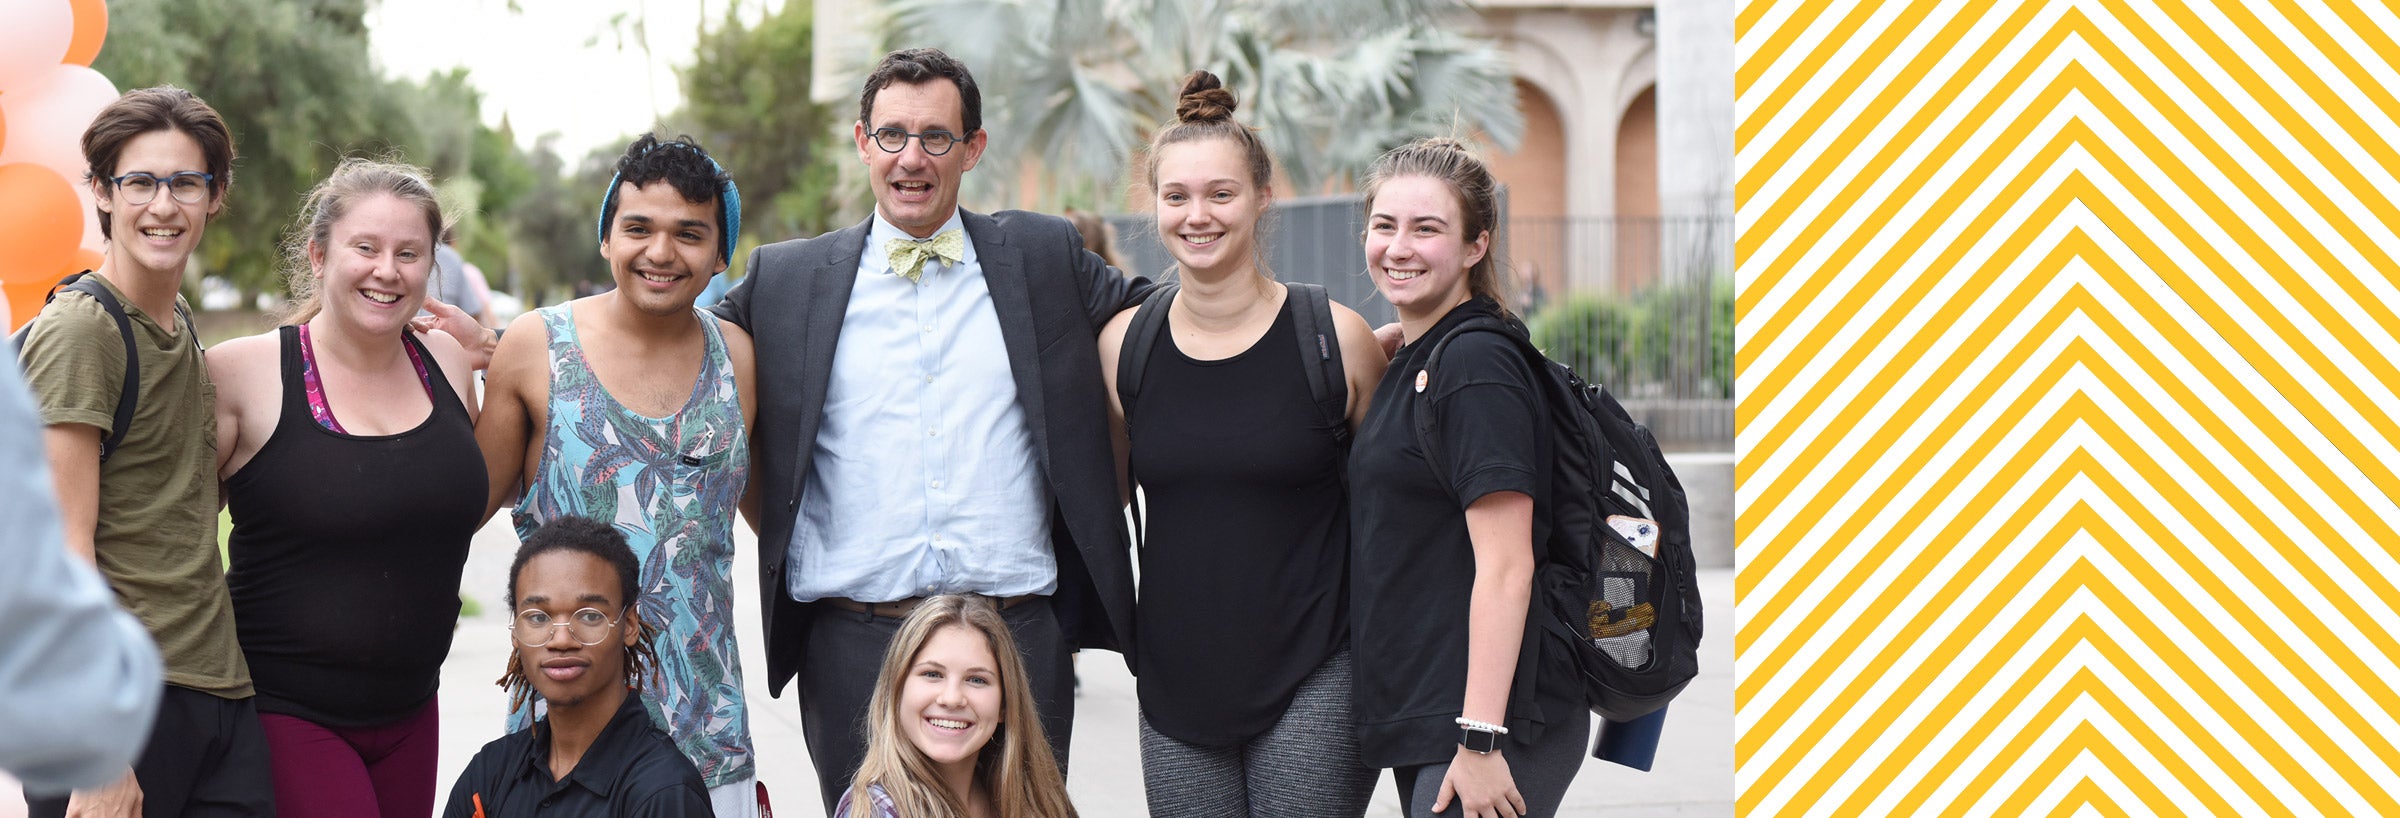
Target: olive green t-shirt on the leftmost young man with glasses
column 157, row 531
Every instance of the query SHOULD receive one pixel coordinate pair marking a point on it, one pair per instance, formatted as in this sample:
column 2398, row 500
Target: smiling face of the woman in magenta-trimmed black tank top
column 373, row 265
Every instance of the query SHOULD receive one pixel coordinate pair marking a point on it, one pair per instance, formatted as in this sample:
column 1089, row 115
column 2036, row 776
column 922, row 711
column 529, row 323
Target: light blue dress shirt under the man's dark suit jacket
column 923, row 476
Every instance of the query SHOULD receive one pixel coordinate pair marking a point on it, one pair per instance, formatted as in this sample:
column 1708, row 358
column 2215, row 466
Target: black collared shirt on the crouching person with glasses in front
column 630, row 771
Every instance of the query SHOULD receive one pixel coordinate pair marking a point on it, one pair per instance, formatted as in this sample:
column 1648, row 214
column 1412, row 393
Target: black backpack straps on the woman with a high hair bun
column 1321, row 359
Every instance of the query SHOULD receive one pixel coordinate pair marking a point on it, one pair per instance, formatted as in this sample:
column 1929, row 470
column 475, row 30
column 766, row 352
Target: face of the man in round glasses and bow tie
column 918, row 191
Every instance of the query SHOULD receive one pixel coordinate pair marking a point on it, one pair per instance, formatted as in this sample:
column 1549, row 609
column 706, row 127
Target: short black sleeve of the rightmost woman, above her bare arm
column 1487, row 419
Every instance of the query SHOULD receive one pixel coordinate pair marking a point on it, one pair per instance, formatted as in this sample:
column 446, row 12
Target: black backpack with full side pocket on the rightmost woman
column 1619, row 584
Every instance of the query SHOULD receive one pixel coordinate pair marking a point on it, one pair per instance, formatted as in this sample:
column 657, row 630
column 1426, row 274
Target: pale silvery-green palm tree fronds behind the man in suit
column 1079, row 85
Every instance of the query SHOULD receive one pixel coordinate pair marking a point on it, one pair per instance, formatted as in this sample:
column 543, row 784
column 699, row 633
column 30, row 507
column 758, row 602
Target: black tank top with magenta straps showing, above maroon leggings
column 347, row 558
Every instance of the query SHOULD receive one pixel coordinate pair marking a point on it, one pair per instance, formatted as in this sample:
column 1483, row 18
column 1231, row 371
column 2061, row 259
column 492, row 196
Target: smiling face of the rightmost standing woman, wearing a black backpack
column 1417, row 246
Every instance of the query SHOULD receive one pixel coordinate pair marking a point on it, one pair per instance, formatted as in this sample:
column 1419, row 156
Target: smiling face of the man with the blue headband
column 661, row 248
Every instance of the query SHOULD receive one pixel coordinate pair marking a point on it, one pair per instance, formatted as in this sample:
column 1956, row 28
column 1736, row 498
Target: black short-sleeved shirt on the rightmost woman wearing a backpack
column 1412, row 565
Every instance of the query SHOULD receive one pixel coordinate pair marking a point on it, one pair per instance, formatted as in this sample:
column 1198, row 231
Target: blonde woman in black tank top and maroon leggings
column 347, row 447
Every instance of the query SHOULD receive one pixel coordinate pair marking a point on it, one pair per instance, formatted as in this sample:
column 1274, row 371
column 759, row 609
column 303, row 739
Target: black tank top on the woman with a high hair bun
column 1244, row 584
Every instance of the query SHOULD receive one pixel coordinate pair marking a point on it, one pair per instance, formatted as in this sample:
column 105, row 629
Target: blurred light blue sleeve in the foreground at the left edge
column 80, row 678
